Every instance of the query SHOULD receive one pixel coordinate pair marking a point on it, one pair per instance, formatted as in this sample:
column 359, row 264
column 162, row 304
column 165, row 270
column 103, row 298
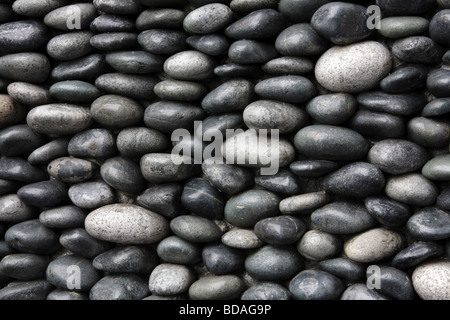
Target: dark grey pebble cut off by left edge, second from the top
column 23, row 36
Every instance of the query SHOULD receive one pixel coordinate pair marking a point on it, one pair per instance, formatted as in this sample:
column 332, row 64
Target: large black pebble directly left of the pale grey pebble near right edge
column 359, row 179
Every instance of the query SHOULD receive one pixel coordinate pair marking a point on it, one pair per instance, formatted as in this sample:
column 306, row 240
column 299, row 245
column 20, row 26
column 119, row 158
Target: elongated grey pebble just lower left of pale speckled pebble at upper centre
column 139, row 87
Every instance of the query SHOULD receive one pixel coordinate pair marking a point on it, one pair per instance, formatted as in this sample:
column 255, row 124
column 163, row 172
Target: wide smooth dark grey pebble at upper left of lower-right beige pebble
column 343, row 217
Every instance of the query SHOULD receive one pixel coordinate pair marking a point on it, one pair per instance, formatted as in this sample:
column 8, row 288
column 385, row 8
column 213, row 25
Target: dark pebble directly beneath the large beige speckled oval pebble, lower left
column 127, row 259
